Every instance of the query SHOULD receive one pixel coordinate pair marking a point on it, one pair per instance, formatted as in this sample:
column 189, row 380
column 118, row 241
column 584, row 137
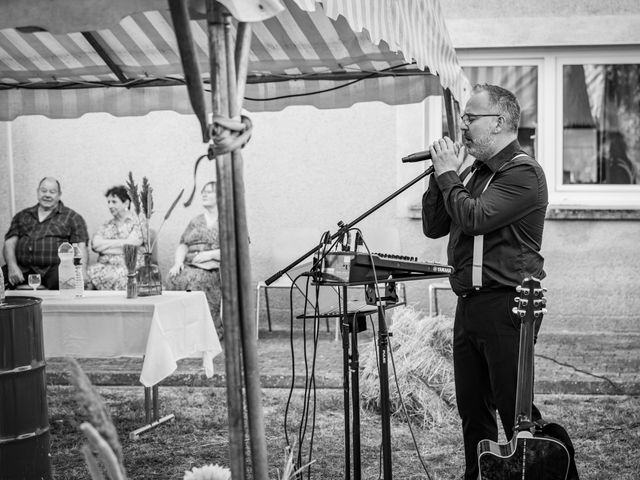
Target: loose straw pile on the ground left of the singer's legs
column 421, row 351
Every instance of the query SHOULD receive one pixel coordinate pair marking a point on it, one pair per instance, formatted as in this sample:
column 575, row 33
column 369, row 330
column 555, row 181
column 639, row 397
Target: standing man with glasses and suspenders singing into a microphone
column 500, row 201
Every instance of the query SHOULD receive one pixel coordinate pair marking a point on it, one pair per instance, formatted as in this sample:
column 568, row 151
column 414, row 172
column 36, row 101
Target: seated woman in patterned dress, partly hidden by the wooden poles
column 197, row 257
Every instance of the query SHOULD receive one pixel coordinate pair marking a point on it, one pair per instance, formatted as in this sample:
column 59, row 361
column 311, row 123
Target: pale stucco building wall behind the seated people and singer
column 306, row 169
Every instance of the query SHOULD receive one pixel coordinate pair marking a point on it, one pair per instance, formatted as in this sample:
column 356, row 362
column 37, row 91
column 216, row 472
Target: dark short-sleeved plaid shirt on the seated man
column 38, row 241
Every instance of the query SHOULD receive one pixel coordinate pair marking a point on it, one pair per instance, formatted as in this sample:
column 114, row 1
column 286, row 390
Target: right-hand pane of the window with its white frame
column 596, row 128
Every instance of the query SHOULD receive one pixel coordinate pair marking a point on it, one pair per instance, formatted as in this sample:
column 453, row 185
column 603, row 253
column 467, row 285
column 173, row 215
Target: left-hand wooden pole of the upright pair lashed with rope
column 229, row 268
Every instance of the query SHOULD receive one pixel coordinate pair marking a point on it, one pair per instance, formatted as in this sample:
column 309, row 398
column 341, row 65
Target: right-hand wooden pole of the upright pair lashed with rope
column 255, row 416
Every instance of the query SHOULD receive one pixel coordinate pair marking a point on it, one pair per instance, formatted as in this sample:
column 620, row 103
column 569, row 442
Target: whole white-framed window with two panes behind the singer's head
column 580, row 118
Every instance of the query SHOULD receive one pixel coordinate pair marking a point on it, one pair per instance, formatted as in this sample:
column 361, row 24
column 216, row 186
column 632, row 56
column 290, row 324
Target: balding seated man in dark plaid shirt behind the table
column 31, row 244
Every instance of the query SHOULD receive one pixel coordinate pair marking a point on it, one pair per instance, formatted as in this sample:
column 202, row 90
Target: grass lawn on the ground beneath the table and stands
column 605, row 431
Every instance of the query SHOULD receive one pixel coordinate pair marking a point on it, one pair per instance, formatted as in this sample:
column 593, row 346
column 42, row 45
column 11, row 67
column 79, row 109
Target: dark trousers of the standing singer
column 486, row 338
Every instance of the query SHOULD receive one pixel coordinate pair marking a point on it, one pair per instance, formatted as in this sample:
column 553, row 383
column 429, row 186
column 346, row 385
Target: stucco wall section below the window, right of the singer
column 593, row 270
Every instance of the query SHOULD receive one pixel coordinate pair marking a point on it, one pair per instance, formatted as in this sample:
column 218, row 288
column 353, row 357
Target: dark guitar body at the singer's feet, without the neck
column 525, row 457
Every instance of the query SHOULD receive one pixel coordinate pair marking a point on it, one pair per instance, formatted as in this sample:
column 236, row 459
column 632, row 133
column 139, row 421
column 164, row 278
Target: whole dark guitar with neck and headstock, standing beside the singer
column 538, row 450
